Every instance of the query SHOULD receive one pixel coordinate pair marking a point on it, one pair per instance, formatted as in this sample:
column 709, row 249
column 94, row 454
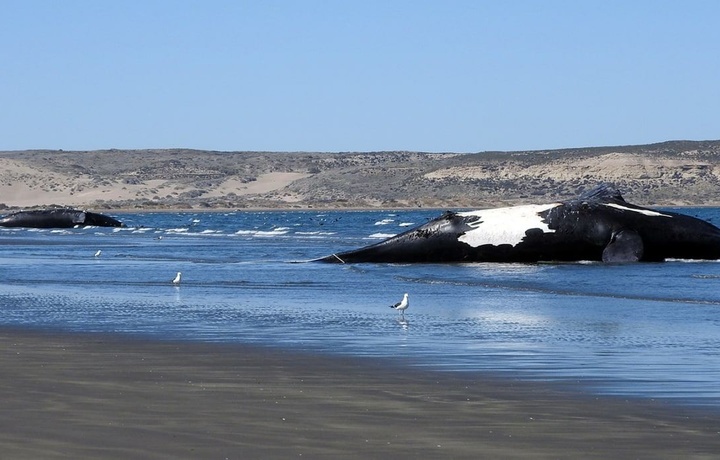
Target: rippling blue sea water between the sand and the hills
column 635, row 330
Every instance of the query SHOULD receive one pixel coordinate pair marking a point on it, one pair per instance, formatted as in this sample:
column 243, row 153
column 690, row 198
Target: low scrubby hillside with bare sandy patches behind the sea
column 668, row 173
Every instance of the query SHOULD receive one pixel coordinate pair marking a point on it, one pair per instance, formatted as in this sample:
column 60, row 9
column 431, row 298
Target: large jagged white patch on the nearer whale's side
column 504, row 225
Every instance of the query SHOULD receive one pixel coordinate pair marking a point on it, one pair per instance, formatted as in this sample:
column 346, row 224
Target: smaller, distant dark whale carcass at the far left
column 57, row 218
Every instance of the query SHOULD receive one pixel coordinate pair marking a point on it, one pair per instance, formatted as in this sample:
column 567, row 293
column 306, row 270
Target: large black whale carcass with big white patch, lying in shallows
column 599, row 225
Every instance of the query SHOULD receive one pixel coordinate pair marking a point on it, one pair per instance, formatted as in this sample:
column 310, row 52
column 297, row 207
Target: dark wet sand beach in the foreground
column 104, row 396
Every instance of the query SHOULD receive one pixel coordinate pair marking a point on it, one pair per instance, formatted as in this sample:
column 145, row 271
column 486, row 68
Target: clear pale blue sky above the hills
column 365, row 75
